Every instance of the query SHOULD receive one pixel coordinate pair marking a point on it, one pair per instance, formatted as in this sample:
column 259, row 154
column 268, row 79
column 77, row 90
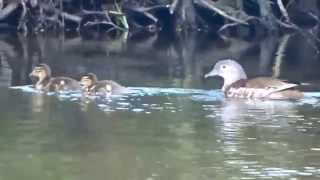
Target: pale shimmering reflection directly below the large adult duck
column 242, row 120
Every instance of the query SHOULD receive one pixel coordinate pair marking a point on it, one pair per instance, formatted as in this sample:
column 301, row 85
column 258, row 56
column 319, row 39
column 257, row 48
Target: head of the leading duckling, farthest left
column 40, row 73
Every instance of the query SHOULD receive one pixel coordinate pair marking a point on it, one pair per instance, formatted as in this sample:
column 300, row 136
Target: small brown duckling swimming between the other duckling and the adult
column 92, row 86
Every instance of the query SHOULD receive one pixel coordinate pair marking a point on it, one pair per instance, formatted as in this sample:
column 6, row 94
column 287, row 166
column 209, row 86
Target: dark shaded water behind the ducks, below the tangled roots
column 181, row 62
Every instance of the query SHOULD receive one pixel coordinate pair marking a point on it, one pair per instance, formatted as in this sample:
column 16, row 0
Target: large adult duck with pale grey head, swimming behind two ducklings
column 237, row 85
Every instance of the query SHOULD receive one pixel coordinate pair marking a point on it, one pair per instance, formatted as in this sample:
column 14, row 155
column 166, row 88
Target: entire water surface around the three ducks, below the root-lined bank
column 171, row 125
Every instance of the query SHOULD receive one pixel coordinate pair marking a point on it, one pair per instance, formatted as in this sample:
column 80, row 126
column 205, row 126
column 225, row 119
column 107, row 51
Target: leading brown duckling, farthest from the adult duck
column 43, row 80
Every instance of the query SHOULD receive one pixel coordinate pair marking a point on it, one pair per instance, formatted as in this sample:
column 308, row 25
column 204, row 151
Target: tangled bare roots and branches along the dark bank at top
column 180, row 15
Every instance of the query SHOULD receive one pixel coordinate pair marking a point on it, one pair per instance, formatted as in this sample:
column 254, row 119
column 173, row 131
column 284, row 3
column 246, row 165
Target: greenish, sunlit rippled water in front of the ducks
column 195, row 134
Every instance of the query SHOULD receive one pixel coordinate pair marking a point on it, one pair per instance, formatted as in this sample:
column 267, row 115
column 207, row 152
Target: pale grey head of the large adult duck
column 229, row 70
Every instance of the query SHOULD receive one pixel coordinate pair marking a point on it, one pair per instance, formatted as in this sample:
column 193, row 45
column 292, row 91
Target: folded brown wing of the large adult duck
column 272, row 85
